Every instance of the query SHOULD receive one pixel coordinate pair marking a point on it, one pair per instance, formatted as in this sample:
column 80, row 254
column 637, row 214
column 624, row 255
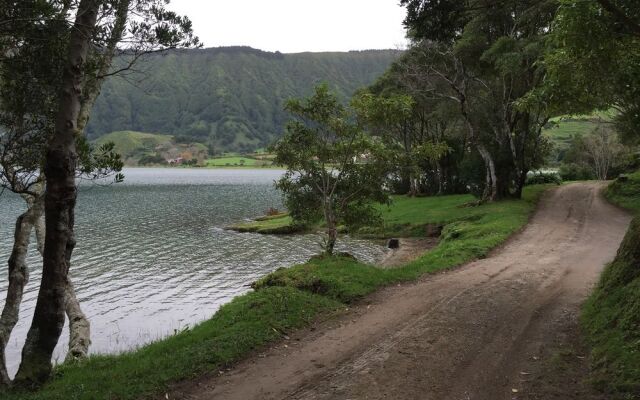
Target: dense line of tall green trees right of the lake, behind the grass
column 485, row 77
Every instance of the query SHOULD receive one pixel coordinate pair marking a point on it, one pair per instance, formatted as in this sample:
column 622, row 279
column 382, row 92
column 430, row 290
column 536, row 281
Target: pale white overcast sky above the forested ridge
column 291, row 26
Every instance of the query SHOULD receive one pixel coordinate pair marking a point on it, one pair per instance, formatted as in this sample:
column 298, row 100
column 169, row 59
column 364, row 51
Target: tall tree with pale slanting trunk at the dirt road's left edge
column 488, row 53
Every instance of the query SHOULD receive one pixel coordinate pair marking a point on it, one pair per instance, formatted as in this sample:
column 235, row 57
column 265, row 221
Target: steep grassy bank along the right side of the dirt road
column 611, row 316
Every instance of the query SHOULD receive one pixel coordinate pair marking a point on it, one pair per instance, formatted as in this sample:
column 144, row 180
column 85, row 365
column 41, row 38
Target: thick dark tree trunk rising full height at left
column 60, row 198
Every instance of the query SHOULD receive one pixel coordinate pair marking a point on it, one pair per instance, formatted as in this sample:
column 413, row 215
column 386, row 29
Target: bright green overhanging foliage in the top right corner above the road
column 593, row 61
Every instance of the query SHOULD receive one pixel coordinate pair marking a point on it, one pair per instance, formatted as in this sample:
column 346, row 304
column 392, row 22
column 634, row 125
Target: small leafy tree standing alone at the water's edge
column 335, row 171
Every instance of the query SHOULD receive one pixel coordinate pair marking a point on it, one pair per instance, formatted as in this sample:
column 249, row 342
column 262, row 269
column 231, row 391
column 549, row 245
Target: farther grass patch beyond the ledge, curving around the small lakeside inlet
column 477, row 229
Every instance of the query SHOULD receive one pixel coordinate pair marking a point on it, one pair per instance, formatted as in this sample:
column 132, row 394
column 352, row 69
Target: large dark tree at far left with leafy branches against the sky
column 101, row 27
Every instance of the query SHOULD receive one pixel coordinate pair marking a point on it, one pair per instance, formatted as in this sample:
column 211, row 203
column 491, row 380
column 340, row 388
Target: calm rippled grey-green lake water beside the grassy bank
column 152, row 256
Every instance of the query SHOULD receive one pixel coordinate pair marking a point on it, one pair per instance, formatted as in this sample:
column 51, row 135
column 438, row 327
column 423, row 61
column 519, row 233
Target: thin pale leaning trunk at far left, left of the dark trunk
column 18, row 278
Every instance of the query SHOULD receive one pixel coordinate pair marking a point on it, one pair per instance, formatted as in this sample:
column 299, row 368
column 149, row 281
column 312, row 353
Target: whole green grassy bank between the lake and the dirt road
column 289, row 299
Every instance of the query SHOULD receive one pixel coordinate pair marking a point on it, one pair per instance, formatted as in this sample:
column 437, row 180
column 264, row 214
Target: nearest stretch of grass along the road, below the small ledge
column 243, row 325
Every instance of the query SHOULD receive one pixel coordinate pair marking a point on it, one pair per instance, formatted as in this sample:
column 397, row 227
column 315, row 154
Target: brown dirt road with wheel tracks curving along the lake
column 490, row 330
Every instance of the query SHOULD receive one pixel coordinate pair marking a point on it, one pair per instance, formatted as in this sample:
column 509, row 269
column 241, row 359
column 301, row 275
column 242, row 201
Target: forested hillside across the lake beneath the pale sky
column 231, row 98
